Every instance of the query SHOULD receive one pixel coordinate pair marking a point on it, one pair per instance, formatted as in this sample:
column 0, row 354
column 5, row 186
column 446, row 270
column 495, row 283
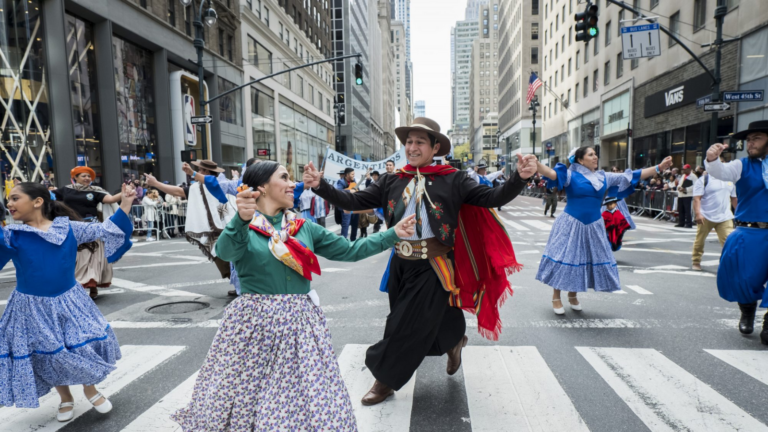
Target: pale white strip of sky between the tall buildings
column 431, row 22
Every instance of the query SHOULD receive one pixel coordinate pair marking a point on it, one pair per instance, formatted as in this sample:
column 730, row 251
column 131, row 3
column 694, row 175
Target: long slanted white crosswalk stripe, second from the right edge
column 663, row 395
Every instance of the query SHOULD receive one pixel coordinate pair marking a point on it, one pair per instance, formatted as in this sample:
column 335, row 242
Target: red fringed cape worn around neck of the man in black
column 484, row 259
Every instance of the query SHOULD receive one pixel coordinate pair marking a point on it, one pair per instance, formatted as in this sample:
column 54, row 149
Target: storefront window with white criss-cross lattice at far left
column 26, row 136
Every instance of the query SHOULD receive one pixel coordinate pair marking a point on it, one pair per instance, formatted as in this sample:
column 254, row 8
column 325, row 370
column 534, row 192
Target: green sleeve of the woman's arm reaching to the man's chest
column 337, row 248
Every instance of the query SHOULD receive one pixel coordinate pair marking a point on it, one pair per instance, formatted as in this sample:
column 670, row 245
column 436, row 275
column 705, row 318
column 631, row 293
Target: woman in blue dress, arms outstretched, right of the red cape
column 578, row 255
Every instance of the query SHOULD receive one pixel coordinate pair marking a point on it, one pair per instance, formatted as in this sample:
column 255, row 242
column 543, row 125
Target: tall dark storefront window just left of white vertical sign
column 135, row 107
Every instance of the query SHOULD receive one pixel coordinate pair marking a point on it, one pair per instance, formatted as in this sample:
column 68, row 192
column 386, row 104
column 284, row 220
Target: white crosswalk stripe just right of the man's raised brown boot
column 512, row 388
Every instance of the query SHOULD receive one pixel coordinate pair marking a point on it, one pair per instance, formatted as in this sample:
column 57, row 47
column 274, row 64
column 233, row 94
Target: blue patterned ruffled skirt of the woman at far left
column 52, row 341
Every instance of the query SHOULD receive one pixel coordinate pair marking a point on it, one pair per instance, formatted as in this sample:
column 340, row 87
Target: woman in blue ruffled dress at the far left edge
column 51, row 333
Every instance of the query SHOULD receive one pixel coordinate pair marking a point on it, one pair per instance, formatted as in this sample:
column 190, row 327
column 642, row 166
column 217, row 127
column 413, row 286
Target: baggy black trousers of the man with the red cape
column 420, row 323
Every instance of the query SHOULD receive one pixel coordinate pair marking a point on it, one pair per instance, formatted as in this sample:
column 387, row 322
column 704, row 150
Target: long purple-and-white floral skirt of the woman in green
column 271, row 367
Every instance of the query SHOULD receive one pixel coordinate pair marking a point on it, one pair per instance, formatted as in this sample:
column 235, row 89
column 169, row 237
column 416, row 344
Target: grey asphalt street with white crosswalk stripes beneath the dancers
column 662, row 355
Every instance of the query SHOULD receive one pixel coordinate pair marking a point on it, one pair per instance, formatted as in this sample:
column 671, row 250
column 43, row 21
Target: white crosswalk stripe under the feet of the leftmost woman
column 137, row 361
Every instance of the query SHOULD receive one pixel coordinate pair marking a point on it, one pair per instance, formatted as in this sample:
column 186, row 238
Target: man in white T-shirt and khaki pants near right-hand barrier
column 712, row 201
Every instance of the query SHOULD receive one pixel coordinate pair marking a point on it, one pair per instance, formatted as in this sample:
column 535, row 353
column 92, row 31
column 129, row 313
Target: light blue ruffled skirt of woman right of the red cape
column 578, row 257
